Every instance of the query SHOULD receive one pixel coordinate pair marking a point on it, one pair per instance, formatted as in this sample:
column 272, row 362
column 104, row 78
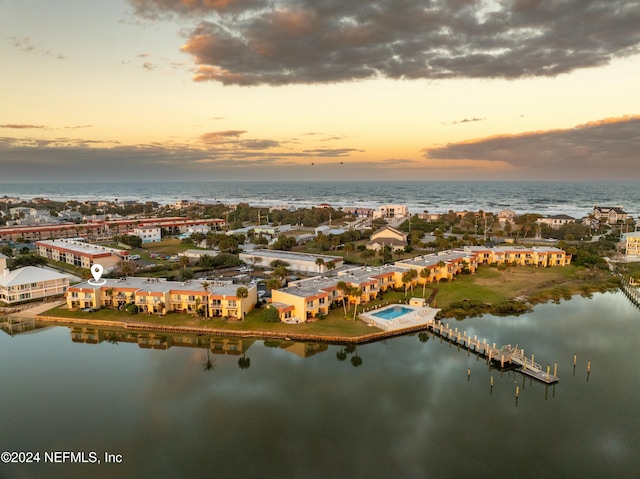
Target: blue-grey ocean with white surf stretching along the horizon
column 548, row 198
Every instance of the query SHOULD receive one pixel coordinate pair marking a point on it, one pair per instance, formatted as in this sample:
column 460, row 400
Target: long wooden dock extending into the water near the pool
column 506, row 356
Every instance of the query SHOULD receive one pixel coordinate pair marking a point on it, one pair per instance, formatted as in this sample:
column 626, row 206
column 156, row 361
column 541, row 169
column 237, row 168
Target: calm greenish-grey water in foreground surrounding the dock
column 408, row 410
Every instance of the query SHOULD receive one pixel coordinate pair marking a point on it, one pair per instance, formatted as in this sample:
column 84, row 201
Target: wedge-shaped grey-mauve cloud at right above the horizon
column 604, row 148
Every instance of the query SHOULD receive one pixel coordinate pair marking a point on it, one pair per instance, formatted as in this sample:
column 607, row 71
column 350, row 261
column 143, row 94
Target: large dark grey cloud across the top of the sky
column 309, row 41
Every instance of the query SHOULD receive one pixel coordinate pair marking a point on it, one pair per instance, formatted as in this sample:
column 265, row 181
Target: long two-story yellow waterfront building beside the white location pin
column 159, row 296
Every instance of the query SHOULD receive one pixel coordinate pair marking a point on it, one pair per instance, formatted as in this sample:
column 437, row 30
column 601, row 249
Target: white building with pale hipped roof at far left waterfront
column 29, row 283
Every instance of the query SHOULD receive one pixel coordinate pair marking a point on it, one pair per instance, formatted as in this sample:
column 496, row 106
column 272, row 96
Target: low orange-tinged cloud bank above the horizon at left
column 221, row 153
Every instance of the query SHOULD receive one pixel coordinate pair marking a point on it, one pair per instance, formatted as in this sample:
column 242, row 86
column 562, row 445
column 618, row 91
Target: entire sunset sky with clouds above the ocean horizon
column 210, row 90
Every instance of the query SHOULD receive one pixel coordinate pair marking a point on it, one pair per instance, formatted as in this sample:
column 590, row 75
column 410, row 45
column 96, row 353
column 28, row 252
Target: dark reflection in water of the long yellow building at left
column 161, row 340
